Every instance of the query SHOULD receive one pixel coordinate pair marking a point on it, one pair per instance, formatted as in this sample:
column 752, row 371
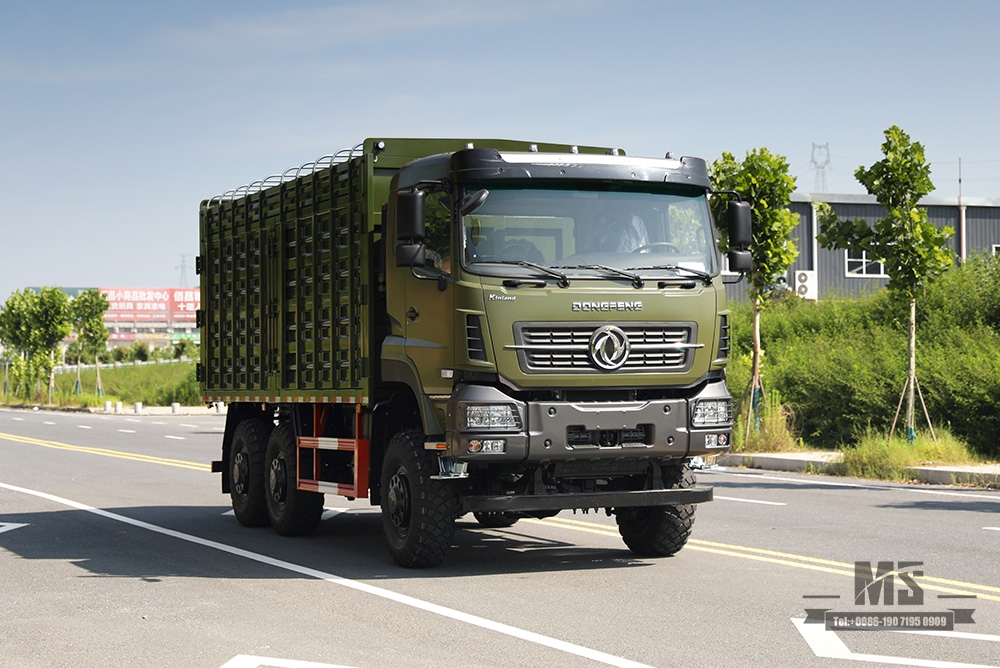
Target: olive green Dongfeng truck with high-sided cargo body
column 491, row 327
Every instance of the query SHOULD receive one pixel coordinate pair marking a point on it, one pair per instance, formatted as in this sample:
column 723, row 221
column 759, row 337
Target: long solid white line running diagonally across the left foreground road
column 402, row 599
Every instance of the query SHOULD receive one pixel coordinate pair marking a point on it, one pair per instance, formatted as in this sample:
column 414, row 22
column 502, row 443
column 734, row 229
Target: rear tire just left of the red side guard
column 293, row 512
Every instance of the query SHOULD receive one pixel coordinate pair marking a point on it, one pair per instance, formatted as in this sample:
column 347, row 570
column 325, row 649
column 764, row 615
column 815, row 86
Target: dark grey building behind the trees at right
column 819, row 273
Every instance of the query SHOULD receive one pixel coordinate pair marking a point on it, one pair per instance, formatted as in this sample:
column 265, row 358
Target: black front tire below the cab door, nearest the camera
column 418, row 513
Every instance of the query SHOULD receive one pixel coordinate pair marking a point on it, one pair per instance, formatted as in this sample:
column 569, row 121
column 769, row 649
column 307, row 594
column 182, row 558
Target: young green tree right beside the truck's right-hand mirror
column 763, row 180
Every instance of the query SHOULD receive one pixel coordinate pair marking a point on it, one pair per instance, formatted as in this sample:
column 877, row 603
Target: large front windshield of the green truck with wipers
column 589, row 232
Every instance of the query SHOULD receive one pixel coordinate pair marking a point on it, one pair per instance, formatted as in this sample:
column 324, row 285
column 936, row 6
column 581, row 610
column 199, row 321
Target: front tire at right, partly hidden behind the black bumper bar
column 659, row 531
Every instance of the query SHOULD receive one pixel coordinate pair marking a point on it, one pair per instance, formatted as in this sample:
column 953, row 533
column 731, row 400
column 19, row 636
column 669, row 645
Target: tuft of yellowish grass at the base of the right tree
column 875, row 456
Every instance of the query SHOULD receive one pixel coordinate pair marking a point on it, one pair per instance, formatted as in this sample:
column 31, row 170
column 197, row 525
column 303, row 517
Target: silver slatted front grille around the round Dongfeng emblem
column 566, row 348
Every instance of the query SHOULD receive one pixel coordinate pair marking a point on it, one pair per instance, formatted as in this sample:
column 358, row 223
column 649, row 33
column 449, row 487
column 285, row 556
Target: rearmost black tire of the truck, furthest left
column 246, row 471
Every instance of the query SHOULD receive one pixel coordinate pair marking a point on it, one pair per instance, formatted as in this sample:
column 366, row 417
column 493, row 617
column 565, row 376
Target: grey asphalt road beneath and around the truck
column 117, row 548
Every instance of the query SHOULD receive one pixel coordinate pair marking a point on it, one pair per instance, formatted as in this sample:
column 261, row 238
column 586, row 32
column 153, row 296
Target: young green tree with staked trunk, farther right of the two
column 910, row 247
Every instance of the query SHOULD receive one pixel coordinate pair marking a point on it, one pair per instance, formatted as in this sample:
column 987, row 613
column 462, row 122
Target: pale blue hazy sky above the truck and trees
column 118, row 118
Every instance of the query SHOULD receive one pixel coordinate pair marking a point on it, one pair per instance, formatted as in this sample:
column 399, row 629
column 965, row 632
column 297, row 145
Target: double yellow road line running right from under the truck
column 782, row 559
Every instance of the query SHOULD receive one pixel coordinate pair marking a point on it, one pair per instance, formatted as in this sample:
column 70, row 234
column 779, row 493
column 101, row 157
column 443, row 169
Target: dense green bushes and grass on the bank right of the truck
column 835, row 372
